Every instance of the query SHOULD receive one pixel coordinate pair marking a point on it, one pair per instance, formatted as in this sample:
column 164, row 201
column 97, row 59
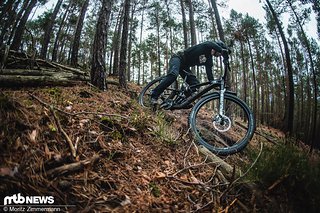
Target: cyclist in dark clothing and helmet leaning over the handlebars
column 198, row 55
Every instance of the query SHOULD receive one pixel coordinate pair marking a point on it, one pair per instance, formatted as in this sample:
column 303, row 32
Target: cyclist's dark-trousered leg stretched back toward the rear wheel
column 174, row 66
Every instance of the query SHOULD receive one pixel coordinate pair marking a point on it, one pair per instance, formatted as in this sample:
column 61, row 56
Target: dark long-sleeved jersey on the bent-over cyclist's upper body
column 200, row 55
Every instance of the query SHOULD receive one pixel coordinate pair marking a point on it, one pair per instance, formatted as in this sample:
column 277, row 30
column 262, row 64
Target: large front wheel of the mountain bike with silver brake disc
column 222, row 134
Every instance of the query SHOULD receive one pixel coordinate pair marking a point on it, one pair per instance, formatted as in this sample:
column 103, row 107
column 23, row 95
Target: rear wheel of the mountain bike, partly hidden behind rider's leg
column 145, row 94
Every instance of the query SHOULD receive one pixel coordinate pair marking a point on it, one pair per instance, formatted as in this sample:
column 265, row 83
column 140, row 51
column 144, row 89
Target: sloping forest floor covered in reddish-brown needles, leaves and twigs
column 100, row 151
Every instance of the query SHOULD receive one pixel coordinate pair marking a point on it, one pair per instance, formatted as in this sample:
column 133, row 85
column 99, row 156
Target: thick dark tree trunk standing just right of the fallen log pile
column 98, row 67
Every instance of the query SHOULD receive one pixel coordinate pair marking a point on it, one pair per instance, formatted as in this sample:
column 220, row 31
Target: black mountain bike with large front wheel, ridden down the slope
column 219, row 120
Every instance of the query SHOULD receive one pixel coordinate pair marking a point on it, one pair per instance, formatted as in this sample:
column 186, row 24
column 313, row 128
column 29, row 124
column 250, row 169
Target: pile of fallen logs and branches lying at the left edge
column 20, row 69
